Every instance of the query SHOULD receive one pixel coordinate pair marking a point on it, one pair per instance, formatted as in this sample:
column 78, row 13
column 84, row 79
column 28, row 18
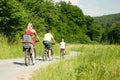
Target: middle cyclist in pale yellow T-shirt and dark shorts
column 48, row 38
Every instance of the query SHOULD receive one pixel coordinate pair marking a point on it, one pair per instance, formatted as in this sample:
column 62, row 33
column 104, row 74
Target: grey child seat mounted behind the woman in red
column 27, row 40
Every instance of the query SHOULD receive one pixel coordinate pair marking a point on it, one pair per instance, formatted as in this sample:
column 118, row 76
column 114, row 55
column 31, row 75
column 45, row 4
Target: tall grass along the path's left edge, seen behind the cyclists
column 14, row 50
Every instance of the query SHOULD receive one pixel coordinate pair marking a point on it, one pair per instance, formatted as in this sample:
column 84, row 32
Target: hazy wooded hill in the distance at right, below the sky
column 107, row 20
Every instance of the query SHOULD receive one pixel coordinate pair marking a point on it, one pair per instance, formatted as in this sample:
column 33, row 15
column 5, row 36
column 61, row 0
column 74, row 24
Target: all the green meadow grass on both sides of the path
column 96, row 62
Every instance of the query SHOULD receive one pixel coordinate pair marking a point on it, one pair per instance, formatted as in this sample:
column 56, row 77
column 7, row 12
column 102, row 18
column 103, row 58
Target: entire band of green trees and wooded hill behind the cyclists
column 64, row 19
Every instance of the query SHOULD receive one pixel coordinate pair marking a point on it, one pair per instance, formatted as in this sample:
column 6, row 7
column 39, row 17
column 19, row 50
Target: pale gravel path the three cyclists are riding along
column 15, row 69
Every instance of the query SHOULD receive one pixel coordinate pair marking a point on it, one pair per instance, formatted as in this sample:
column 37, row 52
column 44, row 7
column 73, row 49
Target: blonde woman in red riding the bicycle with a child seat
column 33, row 33
